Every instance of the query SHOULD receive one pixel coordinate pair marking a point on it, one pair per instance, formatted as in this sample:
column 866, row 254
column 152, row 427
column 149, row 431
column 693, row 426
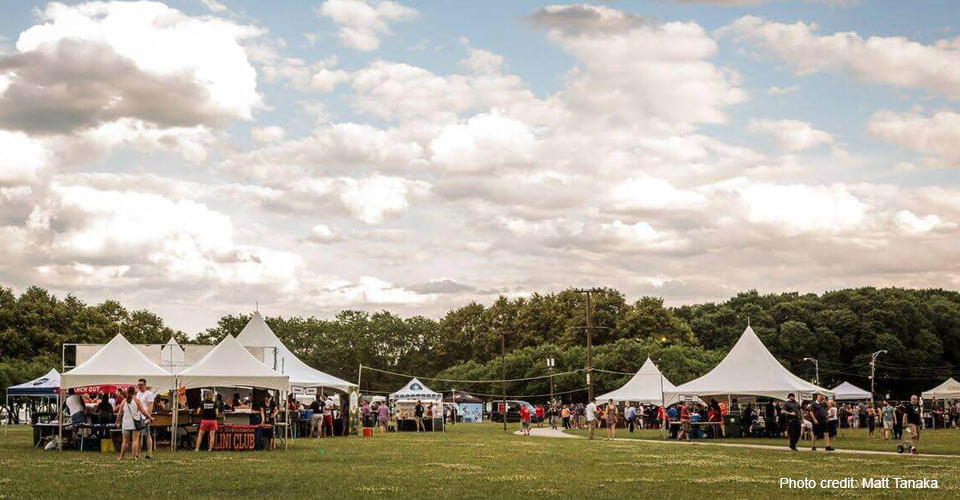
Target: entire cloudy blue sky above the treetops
column 198, row 157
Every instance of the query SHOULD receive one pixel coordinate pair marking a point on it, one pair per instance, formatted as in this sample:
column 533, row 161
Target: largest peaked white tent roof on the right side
column 749, row 370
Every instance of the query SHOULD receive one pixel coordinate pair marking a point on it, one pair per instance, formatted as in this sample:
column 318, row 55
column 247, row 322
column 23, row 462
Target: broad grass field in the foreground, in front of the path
column 469, row 461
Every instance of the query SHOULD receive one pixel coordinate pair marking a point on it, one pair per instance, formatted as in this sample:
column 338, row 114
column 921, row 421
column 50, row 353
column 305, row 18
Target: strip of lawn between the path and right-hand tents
column 940, row 441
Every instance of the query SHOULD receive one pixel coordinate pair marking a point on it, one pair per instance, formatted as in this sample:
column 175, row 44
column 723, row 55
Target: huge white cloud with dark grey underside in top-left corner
column 97, row 62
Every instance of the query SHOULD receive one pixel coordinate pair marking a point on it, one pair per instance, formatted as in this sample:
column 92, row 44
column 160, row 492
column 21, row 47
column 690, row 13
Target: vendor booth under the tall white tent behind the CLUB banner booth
column 257, row 335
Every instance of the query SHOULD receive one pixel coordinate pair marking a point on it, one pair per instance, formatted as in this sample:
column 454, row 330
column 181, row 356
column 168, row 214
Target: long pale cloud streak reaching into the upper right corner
column 893, row 60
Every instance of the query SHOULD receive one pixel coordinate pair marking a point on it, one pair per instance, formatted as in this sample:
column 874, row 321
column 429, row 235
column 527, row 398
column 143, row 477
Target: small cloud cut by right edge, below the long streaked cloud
column 937, row 135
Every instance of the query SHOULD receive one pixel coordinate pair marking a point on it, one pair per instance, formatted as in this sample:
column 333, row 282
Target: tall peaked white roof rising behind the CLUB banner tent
column 258, row 334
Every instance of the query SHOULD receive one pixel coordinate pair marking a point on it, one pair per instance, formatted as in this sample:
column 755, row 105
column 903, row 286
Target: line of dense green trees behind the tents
column 920, row 329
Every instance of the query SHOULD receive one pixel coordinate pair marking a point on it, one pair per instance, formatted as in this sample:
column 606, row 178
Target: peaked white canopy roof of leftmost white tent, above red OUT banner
column 118, row 362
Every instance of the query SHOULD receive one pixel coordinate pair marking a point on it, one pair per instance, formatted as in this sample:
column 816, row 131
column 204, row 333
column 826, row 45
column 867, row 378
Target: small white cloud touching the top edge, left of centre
column 363, row 23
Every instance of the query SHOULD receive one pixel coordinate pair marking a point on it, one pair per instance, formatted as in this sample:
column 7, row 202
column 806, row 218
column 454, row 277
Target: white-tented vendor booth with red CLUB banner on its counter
column 229, row 364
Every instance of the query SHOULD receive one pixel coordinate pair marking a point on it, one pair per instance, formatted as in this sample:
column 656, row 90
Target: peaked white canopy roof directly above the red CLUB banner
column 230, row 364
